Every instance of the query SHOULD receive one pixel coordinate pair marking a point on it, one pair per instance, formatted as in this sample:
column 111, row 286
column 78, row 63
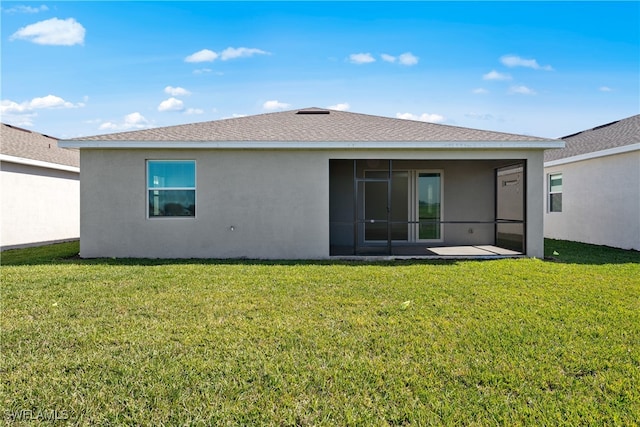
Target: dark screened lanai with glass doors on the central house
column 382, row 207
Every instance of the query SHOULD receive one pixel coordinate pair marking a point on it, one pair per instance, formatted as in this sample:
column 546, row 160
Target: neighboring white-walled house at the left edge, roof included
column 40, row 189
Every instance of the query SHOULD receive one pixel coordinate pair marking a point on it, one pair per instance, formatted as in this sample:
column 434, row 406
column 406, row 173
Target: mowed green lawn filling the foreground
column 143, row 342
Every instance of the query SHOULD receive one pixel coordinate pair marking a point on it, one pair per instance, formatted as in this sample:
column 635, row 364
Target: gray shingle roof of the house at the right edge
column 611, row 135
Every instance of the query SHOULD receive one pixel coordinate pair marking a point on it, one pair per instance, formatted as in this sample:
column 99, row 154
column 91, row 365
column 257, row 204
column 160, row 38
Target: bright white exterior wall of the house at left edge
column 39, row 205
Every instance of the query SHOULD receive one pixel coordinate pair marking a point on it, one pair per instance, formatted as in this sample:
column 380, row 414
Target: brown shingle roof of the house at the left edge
column 18, row 142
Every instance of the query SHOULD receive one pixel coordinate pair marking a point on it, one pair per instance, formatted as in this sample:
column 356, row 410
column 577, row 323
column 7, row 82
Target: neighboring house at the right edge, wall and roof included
column 593, row 186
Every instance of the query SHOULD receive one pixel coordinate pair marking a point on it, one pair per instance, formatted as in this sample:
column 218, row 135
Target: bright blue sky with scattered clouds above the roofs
column 538, row 68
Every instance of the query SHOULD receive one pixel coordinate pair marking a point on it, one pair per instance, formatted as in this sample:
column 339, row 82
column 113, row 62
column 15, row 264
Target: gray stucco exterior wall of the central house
column 271, row 204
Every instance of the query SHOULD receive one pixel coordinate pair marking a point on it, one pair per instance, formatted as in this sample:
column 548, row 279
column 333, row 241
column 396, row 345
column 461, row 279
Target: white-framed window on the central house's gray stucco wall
column 171, row 188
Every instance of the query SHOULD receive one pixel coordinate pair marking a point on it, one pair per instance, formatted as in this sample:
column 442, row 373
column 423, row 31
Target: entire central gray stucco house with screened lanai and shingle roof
column 311, row 184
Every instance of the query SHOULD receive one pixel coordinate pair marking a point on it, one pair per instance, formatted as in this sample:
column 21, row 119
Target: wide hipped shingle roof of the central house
column 311, row 125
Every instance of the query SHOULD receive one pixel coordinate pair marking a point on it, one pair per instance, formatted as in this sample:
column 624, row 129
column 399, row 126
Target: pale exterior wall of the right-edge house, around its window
column 600, row 201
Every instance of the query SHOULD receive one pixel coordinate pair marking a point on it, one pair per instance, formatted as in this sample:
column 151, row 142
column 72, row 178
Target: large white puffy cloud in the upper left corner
column 54, row 31
